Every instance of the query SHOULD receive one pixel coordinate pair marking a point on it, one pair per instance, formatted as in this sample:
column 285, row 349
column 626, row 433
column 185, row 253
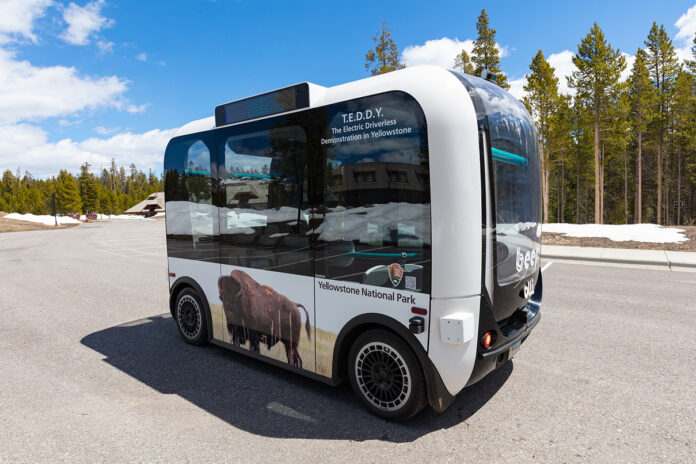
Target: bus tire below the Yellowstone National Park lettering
column 386, row 375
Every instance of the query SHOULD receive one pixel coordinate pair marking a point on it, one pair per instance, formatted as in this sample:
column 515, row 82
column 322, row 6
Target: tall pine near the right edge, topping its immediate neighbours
column 663, row 66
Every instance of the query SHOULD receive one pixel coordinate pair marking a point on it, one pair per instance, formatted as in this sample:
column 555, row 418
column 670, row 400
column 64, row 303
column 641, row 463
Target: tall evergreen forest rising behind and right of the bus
column 617, row 151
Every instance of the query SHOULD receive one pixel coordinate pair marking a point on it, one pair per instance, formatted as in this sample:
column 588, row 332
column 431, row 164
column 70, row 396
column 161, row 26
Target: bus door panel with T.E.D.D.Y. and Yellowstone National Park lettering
column 373, row 253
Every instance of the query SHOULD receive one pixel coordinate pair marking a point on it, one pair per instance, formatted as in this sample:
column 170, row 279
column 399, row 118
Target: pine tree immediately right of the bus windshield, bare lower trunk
column 542, row 100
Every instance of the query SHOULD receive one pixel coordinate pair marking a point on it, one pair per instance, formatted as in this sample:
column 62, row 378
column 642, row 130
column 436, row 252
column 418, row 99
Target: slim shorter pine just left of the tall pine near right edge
column 641, row 95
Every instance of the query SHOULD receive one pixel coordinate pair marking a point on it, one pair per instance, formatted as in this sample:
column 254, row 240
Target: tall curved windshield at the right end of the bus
column 516, row 178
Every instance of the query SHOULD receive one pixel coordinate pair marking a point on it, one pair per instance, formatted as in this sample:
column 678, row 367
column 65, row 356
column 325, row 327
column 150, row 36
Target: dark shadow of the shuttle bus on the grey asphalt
column 263, row 399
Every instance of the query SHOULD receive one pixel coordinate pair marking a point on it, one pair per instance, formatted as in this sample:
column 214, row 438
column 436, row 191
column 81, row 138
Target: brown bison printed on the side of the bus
column 258, row 314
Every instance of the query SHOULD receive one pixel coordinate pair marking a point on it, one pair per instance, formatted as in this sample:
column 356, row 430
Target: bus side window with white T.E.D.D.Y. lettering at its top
column 376, row 213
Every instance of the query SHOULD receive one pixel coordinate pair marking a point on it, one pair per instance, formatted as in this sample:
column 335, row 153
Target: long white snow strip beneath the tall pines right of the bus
column 650, row 233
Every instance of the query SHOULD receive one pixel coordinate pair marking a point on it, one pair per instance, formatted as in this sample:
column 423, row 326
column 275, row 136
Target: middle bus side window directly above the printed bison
column 263, row 182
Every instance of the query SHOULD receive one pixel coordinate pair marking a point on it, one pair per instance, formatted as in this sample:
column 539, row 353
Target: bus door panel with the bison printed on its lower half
column 267, row 277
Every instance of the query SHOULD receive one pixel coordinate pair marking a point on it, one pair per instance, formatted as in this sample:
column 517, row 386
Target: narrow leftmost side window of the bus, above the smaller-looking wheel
column 191, row 224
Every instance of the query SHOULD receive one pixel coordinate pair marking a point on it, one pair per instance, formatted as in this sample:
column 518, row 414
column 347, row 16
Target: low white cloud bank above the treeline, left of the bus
column 27, row 146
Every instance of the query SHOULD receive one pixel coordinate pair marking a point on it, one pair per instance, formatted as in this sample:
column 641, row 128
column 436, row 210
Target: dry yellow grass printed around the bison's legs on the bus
column 322, row 363
